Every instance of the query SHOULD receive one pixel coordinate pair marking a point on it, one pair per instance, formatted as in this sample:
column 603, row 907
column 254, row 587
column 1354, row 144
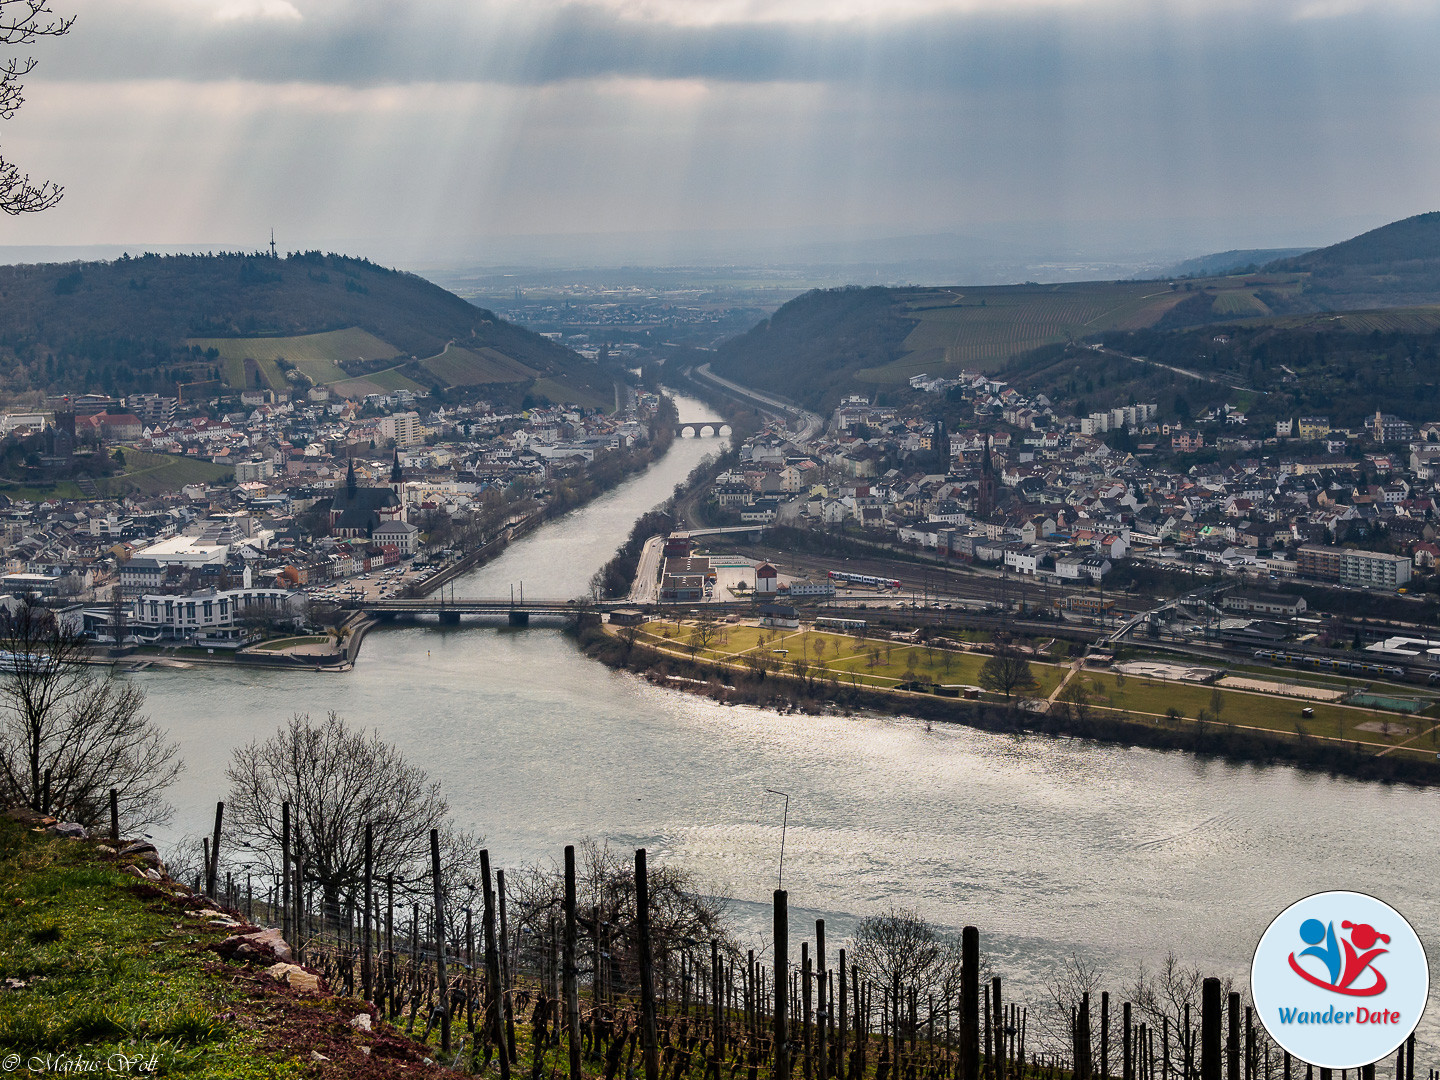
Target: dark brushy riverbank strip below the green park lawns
column 788, row 693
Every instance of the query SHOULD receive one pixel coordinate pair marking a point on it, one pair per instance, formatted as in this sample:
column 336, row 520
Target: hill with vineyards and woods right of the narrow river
column 1284, row 342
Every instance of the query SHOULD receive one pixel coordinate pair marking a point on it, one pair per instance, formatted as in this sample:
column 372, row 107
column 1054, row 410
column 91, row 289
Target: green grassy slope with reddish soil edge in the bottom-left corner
column 102, row 964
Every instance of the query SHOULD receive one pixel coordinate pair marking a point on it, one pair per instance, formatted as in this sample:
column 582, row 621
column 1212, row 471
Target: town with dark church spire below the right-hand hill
column 1074, row 498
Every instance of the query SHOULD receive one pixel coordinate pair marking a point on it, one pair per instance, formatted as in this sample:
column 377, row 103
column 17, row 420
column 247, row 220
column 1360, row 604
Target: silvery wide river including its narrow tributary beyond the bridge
column 1052, row 847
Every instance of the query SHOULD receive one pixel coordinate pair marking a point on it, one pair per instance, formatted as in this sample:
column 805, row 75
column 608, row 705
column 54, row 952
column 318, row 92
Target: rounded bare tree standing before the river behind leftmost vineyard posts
column 338, row 780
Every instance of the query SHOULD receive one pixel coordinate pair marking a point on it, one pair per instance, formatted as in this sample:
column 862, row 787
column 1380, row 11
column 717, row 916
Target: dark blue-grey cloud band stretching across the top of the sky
column 1223, row 51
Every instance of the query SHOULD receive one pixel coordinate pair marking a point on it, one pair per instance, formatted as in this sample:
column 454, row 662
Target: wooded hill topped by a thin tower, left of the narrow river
column 152, row 323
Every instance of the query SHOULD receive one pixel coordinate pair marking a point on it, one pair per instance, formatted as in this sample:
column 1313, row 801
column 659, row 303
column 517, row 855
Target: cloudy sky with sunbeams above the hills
column 453, row 127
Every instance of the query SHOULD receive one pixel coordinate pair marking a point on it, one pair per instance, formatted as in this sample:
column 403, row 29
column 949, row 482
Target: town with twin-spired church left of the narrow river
column 309, row 498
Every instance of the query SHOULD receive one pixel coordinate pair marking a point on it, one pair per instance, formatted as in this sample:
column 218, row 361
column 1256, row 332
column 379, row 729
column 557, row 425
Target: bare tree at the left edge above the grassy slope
column 77, row 725
